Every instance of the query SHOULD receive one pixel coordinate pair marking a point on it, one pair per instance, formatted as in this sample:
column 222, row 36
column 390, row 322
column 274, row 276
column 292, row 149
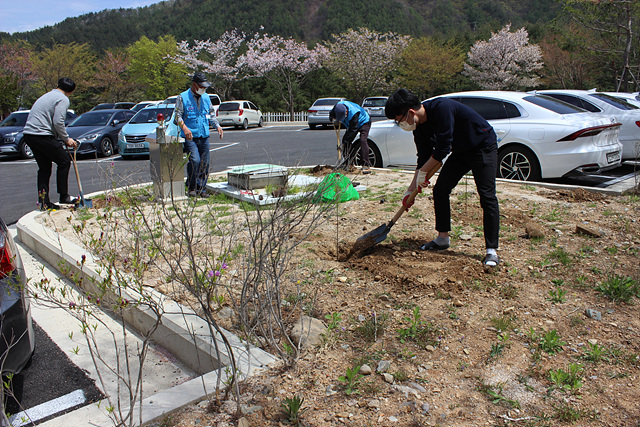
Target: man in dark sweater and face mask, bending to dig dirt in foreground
column 442, row 127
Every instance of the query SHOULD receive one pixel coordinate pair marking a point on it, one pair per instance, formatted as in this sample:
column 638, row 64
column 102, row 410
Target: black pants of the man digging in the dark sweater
column 483, row 163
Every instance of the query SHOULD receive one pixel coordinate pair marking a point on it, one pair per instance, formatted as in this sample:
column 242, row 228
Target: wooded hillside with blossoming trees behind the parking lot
column 283, row 54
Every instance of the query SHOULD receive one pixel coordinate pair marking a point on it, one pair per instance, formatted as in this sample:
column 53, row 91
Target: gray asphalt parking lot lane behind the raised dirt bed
column 282, row 145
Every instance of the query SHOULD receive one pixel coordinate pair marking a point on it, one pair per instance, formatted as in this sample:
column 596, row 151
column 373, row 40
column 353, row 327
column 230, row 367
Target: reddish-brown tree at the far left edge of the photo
column 15, row 74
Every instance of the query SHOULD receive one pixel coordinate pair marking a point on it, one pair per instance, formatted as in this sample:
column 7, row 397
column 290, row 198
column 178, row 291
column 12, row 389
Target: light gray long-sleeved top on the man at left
column 47, row 115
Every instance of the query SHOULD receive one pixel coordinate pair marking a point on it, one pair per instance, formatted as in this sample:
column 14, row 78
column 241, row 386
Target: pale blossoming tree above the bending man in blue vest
column 365, row 60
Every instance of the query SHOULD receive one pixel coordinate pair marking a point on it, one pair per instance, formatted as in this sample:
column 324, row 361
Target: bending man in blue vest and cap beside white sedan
column 354, row 119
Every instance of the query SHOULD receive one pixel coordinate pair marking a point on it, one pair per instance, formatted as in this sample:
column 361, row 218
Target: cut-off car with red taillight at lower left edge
column 17, row 342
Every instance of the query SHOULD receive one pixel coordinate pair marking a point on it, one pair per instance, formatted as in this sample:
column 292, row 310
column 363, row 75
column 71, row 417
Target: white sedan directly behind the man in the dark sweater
column 538, row 136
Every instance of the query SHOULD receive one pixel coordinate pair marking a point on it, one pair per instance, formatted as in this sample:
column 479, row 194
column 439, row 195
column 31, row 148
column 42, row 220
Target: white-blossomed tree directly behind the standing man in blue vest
column 217, row 58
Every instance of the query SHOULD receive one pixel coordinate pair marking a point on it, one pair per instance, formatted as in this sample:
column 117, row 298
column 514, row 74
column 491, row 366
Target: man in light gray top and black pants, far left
column 46, row 135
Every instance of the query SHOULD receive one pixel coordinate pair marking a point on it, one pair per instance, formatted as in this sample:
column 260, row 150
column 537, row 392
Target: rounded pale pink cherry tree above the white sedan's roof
column 506, row 62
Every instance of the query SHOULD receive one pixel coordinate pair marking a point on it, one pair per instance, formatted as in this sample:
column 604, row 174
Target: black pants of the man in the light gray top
column 47, row 150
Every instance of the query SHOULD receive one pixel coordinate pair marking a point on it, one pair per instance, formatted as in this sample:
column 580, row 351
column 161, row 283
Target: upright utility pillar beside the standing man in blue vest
column 166, row 164
